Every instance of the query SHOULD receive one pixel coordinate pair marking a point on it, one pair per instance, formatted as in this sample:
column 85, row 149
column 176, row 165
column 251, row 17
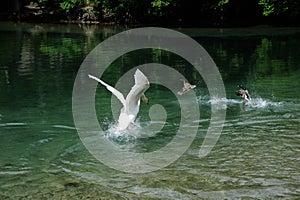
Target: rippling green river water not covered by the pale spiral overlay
column 42, row 157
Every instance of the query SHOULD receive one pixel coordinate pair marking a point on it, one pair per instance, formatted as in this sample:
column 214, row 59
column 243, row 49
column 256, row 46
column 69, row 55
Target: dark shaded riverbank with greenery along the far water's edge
column 178, row 14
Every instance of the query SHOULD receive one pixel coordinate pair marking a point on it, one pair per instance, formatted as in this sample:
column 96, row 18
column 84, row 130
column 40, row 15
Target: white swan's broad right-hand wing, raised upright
column 133, row 97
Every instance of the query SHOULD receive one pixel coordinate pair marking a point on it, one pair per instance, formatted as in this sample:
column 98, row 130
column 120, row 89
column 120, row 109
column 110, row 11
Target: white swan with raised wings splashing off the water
column 131, row 105
